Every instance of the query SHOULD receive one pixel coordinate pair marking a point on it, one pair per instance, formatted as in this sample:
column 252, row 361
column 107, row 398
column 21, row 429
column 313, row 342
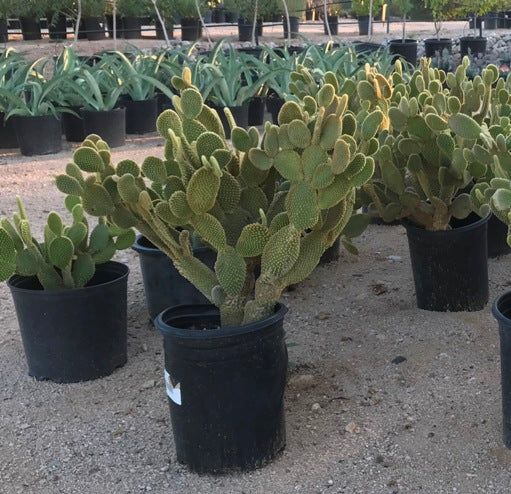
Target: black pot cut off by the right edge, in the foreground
column 502, row 312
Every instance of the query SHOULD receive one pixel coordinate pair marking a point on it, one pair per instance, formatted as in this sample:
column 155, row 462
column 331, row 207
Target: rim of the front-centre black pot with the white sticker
column 213, row 334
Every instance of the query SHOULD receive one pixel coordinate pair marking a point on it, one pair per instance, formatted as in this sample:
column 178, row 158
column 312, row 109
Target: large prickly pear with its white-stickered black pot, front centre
column 269, row 209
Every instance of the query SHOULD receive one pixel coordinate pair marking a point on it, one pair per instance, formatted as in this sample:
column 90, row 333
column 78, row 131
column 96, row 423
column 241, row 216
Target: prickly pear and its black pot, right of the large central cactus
column 422, row 169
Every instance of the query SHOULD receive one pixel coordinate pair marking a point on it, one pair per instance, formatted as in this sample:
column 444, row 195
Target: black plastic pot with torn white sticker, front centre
column 225, row 388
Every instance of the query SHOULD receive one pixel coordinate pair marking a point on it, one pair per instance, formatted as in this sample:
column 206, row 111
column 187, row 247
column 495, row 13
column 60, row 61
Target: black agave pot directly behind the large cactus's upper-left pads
column 110, row 125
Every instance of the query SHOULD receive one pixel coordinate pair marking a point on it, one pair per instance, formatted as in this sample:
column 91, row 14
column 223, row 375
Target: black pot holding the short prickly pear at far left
column 74, row 335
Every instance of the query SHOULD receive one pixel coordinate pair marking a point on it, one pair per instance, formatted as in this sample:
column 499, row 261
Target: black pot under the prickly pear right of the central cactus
column 450, row 268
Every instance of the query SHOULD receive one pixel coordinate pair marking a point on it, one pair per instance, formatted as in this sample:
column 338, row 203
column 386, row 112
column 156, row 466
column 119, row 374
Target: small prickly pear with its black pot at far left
column 70, row 298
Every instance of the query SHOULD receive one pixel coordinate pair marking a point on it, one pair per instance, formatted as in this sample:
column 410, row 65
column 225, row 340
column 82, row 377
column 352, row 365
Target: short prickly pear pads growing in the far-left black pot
column 68, row 256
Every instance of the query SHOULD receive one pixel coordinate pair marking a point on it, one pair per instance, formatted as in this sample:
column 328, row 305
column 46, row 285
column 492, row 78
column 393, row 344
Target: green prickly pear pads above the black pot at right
column 438, row 138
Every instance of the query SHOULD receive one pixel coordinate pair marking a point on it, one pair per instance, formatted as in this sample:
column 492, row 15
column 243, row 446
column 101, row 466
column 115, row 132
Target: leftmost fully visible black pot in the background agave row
column 38, row 135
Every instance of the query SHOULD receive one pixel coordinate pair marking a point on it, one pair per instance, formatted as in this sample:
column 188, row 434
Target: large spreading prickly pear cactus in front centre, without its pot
column 268, row 205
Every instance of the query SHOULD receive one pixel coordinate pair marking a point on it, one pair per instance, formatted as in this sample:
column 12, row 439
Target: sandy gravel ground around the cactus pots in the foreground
column 357, row 421
